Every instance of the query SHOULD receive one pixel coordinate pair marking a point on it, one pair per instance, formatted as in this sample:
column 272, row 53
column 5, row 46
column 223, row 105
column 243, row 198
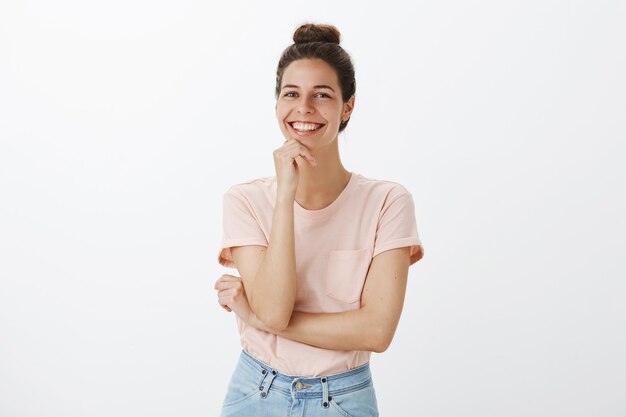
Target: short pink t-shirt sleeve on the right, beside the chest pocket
column 397, row 227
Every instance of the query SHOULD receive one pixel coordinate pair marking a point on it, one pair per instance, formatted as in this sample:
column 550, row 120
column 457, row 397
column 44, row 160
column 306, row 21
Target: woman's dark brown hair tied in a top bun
column 320, row 41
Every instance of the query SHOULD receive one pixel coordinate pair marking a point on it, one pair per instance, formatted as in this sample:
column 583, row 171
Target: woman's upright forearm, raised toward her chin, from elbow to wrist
column 274, row 287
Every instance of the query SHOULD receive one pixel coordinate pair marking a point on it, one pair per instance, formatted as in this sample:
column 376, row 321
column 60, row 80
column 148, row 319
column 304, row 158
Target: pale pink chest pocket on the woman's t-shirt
column 346, row 272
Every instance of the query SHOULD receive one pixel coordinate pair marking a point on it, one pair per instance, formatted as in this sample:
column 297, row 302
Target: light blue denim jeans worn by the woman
column 258, row 390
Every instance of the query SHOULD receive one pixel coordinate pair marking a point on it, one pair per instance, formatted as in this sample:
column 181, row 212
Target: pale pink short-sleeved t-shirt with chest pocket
column 334, row 247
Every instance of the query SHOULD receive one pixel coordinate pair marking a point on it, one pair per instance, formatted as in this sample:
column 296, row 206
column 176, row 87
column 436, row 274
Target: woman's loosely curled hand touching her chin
column 286, row 165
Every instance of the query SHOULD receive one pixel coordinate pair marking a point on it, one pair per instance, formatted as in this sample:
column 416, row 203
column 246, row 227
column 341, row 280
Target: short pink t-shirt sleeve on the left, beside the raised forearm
column 240, row 227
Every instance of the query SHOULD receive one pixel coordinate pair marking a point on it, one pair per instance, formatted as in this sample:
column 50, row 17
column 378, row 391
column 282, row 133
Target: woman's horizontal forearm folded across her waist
column 348, row 330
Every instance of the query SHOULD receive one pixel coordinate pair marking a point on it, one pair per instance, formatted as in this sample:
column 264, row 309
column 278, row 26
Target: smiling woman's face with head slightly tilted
column 310, row 92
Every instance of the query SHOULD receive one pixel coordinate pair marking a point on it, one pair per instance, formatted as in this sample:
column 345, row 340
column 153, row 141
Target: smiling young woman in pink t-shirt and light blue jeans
column 322, row 252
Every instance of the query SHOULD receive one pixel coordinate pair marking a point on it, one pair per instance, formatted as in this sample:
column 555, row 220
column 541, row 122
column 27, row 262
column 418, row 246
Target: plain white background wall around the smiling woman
column 123, row 122
